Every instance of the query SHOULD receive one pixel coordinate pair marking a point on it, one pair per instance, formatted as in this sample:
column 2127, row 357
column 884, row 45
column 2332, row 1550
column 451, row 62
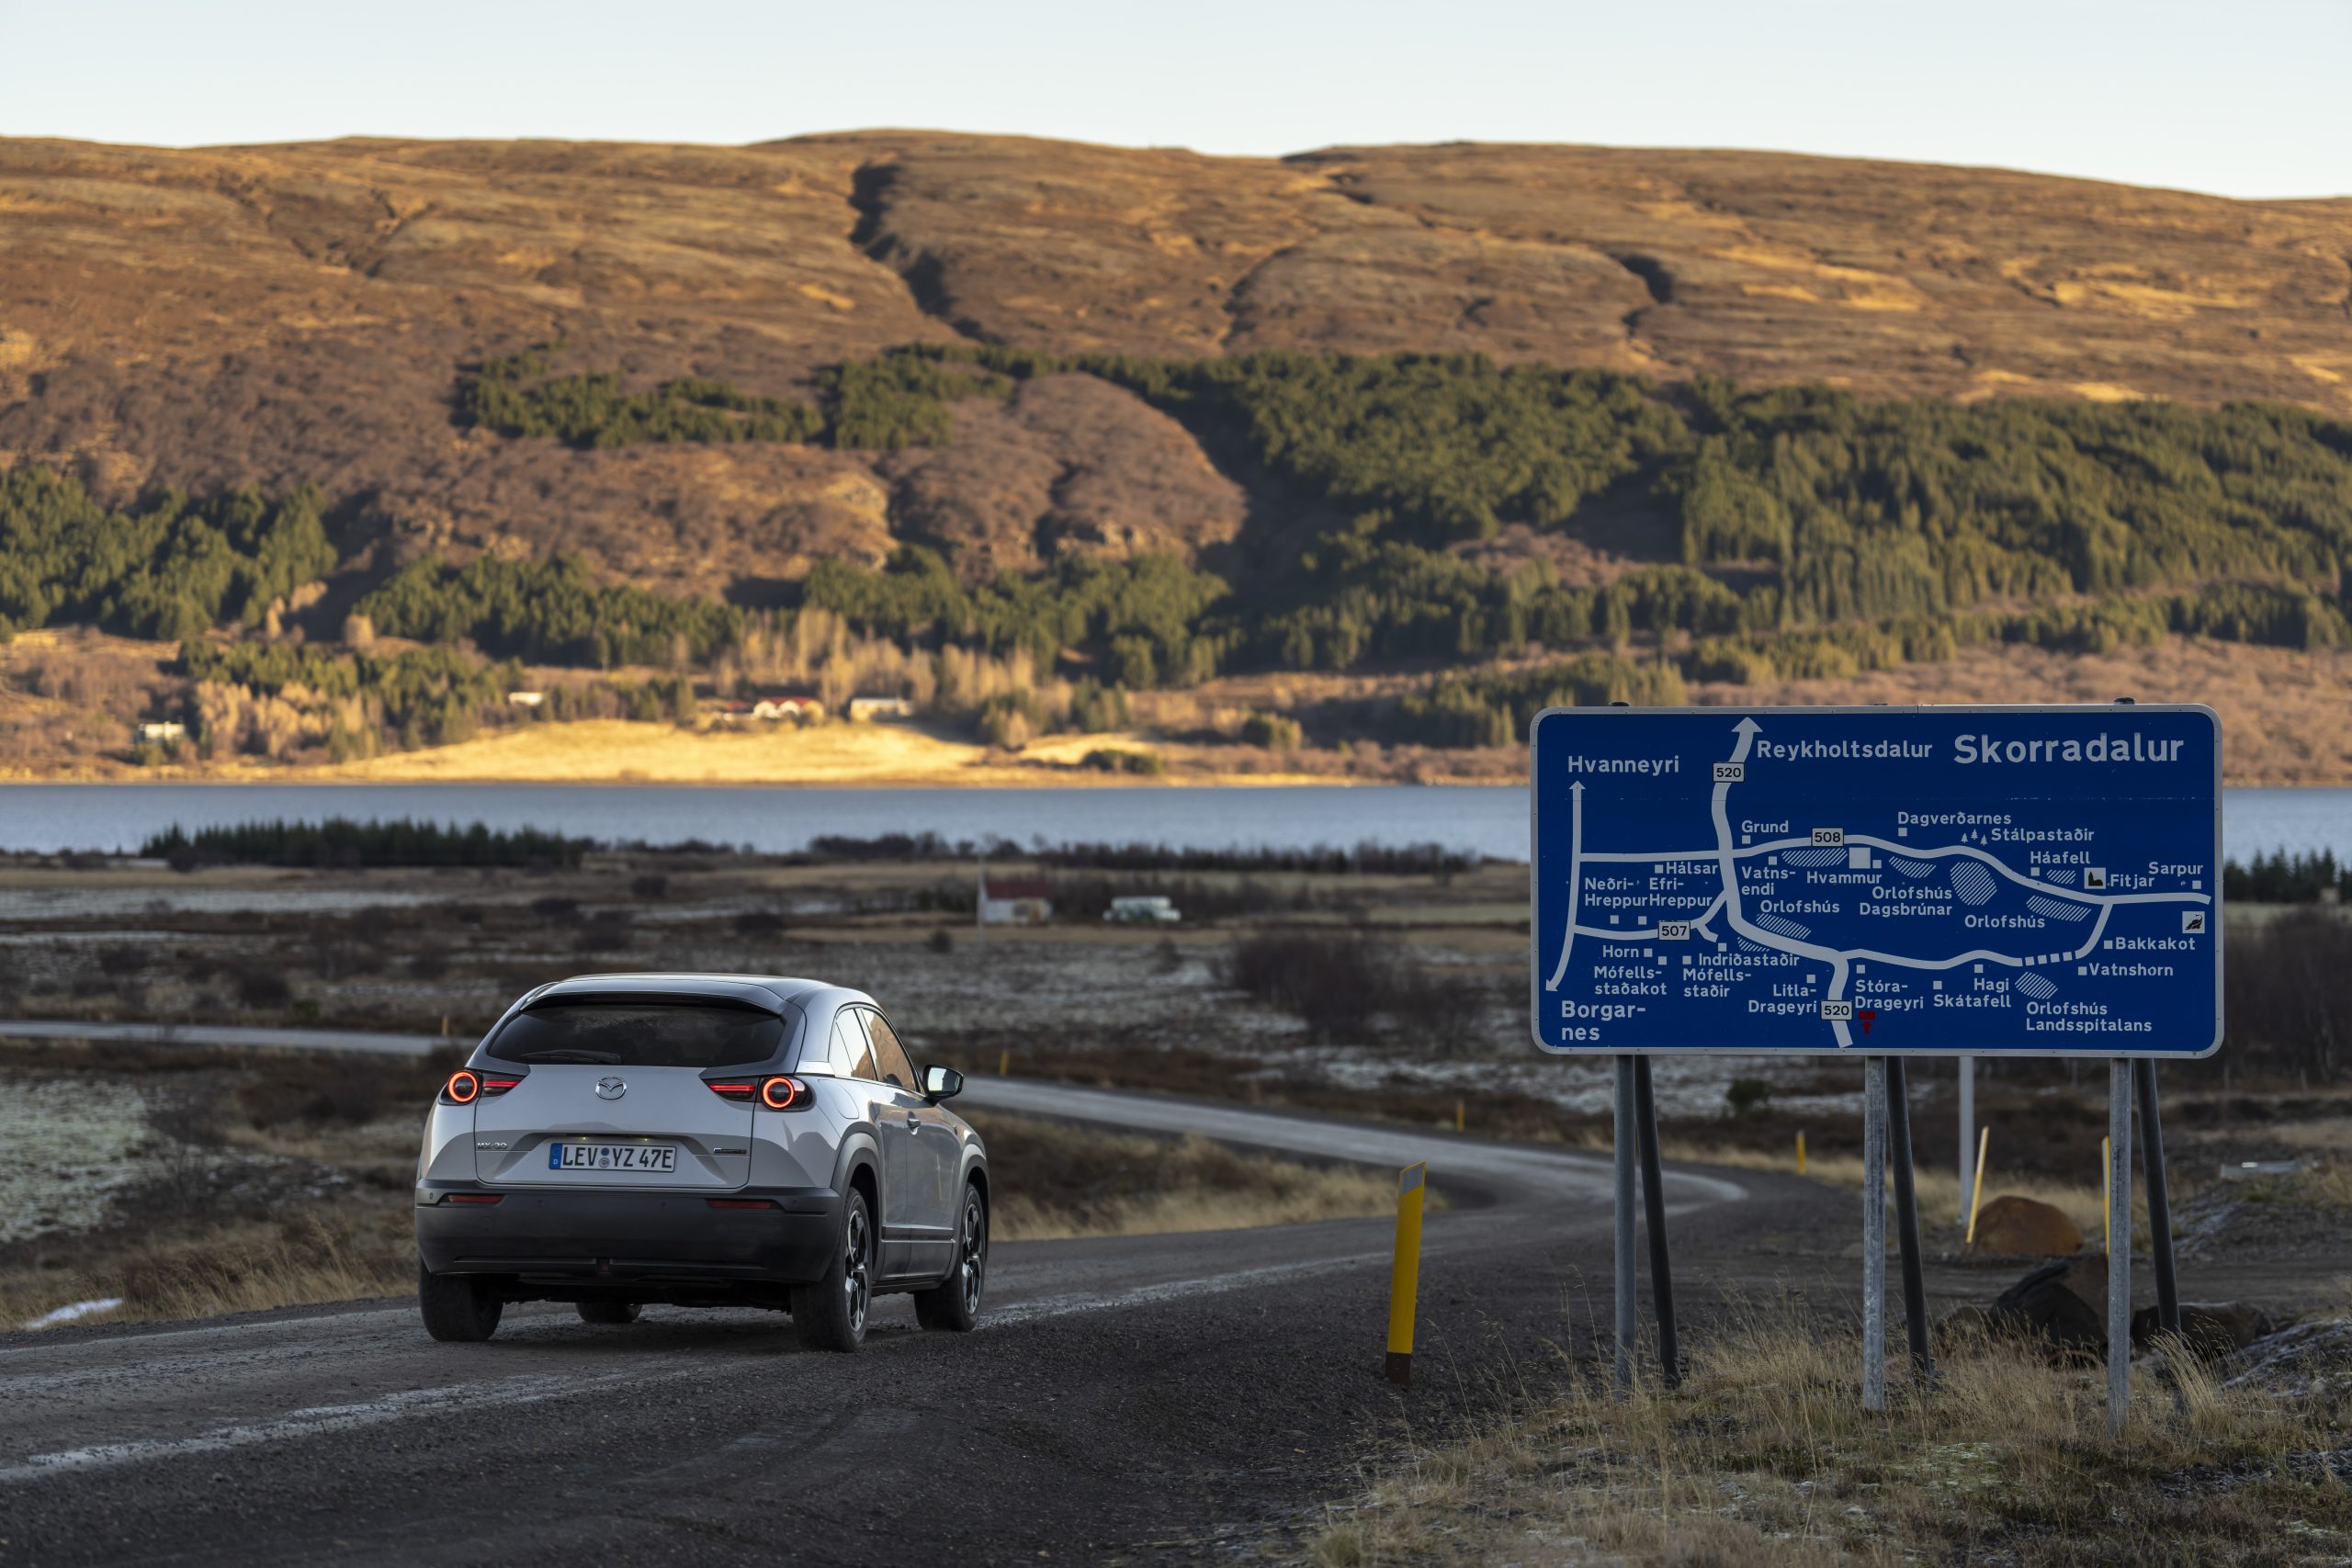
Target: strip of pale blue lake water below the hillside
column 1490, row 822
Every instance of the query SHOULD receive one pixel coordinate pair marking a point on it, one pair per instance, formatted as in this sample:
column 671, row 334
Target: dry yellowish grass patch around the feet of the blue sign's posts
column 1765, row 1456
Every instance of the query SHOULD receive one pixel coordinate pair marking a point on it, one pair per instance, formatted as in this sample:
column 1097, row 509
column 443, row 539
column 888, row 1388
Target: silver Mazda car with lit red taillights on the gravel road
column 702, row 1141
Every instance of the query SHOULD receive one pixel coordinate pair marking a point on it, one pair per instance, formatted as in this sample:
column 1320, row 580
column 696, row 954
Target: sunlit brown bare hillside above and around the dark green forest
column 298, row 314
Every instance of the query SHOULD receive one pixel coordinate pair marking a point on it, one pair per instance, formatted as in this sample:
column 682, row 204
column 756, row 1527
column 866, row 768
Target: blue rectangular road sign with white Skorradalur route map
column 1878, row 880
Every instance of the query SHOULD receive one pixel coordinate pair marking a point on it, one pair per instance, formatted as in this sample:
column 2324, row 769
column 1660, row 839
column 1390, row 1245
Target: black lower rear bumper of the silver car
column 620, row 1242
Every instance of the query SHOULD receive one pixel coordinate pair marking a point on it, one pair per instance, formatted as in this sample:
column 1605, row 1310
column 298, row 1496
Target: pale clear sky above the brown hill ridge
column 2243, row 98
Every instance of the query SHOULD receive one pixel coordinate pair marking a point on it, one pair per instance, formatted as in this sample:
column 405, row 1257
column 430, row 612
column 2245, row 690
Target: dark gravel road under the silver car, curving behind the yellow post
column 1151, row 1398
